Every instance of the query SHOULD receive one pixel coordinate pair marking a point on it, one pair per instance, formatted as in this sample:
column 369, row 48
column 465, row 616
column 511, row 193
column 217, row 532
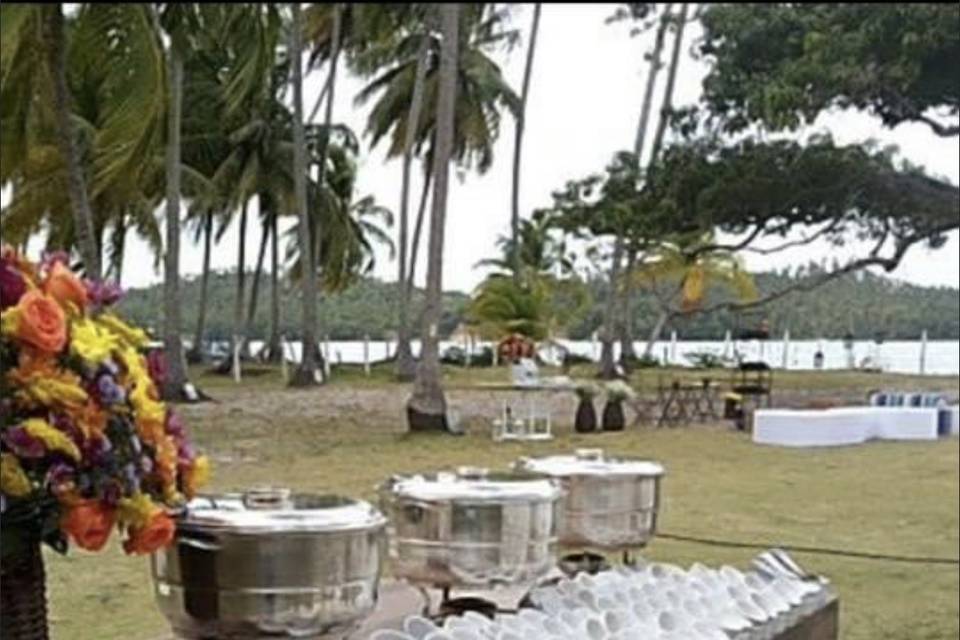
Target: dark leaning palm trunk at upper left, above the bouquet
column 67, row 144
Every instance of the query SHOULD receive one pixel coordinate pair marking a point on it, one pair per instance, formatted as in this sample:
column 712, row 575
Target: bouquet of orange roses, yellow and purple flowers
column 86, row 446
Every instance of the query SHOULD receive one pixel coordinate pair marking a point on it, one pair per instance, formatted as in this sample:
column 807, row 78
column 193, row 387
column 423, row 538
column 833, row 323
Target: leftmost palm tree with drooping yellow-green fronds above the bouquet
column 89, row 147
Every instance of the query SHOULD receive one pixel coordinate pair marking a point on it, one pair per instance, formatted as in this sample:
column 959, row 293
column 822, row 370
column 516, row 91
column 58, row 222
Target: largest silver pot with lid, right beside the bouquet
column 267, row 563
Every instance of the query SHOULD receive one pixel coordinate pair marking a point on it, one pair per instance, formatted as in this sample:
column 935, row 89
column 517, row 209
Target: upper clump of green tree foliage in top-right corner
column 784, row 64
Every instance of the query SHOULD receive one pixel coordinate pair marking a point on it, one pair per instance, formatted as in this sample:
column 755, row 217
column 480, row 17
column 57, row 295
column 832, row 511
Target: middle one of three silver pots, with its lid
column 472, row 528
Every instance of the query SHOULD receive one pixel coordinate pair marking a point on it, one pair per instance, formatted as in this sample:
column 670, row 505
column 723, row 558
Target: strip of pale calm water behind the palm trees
column 942, row 356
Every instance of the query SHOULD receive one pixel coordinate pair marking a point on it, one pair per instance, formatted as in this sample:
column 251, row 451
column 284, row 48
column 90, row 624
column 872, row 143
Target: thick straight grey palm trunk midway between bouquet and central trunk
column 307, row 372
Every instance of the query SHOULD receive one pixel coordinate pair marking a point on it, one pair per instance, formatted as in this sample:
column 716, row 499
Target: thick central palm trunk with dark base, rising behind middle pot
column 427, row 407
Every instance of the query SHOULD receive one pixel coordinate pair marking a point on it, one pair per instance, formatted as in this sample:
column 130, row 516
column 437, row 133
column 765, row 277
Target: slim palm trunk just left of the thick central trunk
column 406, row 365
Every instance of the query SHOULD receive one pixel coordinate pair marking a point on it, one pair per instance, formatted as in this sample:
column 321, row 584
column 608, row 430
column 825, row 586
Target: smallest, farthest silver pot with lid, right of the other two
column 610, row 503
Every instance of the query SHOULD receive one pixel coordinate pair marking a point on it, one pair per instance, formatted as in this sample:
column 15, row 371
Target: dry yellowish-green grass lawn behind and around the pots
column 895, row 498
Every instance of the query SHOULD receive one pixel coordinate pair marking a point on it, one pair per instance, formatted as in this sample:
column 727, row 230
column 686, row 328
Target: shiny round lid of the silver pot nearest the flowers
column 279, row 511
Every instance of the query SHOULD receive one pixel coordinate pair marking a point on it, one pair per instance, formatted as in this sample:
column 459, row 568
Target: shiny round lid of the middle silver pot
column 475, row 485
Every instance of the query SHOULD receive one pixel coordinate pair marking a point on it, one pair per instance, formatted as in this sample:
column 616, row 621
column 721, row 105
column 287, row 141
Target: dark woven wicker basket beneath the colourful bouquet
column 23, row 601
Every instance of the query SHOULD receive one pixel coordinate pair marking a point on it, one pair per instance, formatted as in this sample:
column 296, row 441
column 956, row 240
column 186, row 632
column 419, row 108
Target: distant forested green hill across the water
column 862, row 305
